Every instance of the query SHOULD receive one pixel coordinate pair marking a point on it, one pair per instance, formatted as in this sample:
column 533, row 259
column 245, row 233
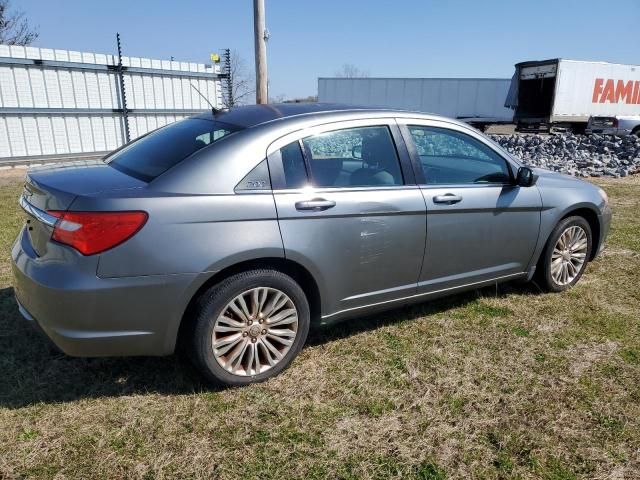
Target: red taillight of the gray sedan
column 95, row 232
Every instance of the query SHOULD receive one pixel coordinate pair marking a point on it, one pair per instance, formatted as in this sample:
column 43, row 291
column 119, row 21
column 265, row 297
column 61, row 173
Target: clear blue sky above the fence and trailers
column 406, row 38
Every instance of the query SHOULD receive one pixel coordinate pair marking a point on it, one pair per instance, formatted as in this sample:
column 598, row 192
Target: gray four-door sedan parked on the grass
column 230, row 233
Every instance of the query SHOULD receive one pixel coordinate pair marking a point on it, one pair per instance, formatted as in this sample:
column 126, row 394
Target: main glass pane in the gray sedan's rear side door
column 354, row 157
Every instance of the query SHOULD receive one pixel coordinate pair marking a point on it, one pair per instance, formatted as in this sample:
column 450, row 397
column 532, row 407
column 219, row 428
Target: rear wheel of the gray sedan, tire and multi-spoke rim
column 249, row 327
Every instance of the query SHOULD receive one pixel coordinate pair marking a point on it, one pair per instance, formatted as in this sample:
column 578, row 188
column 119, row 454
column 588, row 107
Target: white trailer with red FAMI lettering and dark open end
column 567, row 92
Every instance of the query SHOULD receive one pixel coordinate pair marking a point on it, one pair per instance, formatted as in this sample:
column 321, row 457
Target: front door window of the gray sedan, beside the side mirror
column 451, row 157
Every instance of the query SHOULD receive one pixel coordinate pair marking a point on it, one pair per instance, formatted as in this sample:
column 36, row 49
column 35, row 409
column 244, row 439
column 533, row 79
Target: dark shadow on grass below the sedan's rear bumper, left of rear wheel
column 34, row 371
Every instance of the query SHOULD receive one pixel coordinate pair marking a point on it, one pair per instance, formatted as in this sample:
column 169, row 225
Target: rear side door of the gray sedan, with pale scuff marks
column 350, row 212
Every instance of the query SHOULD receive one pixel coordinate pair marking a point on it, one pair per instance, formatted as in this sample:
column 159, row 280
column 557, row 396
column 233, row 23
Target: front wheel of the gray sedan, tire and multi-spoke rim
column 566, row 254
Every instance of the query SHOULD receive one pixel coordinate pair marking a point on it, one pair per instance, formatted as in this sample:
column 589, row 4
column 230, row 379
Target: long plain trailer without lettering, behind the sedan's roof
column 480, row 99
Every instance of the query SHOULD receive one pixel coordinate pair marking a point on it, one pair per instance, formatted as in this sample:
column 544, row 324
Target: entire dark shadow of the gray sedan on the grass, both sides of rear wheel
column 33, row 371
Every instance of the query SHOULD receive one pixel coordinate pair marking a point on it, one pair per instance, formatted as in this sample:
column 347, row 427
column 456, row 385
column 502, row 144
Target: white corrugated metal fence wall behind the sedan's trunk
column 59, row 102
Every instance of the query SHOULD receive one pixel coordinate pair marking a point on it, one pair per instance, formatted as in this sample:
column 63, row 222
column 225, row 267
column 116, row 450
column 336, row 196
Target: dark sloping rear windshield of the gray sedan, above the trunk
column 155, row 153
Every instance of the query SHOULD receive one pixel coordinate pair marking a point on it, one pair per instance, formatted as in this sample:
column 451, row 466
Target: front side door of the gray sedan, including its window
column 480, row 224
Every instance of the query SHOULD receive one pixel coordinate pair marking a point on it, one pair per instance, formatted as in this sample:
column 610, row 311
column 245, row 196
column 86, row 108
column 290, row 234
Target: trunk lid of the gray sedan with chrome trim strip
column 55, row 187
